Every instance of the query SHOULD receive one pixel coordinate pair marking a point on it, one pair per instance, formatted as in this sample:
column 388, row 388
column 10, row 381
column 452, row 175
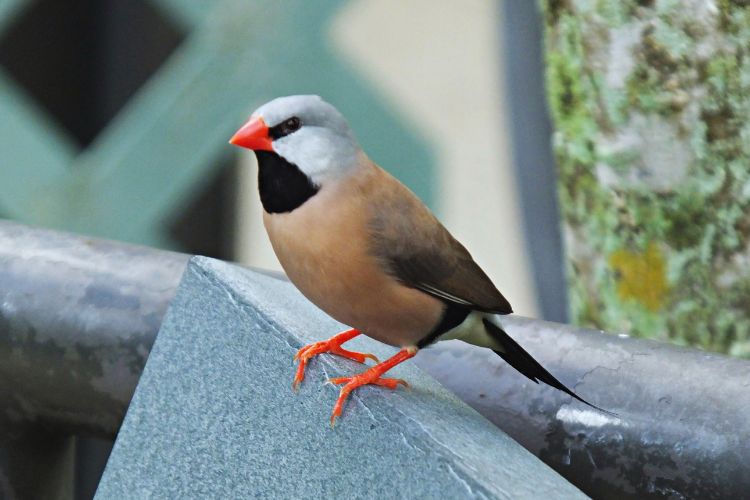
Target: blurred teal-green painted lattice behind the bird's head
column 165, row 143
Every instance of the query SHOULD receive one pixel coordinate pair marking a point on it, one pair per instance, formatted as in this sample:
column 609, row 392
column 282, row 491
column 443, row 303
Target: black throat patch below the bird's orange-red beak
column 282, row 185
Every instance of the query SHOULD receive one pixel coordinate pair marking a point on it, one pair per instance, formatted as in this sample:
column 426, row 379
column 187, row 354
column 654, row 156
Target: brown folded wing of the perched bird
column 418, row 251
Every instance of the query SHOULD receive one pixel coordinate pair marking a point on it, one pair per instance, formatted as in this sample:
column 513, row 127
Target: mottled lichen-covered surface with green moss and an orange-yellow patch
column 651, row 107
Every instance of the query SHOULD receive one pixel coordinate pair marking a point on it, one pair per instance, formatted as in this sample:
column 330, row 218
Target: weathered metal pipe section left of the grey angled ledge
column 78, row 317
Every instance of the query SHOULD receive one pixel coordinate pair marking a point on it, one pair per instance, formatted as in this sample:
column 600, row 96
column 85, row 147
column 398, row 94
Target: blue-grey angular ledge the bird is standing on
column 214, row 415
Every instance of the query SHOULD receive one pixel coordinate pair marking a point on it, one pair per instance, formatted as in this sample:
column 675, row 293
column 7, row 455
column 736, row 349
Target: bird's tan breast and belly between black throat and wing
column 323, row 247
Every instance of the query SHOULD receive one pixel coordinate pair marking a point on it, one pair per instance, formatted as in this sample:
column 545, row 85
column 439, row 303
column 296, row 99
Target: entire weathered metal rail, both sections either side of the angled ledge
column 78, row 317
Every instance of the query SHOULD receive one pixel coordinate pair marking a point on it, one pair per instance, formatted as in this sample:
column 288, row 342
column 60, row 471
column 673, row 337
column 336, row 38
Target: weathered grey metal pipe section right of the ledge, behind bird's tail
column 682, row 428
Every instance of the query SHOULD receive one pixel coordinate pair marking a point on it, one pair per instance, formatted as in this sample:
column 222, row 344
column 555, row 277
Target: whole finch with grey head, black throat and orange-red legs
column 364, row 248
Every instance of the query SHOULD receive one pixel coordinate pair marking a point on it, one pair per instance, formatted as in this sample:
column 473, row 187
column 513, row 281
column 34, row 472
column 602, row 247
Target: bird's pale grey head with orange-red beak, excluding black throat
column 305, row 131
